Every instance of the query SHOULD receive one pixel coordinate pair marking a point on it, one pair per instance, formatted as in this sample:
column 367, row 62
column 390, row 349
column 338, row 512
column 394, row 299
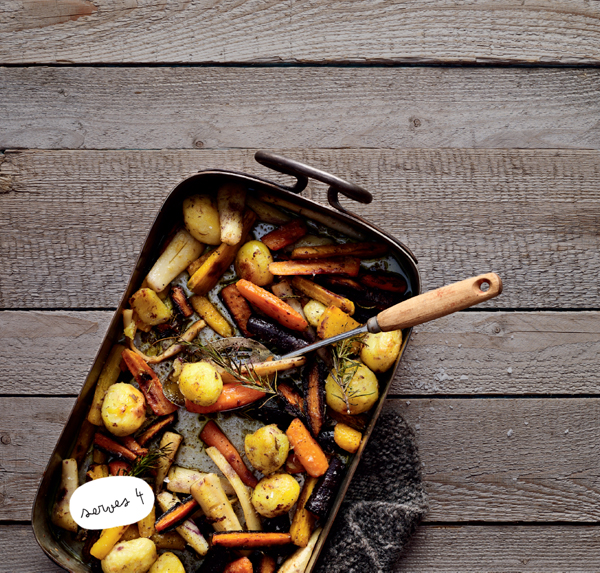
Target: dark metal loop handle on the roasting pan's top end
column 302, row 172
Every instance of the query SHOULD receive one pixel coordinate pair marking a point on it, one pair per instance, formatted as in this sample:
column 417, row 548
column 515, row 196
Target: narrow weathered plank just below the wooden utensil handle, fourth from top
column 467, row 353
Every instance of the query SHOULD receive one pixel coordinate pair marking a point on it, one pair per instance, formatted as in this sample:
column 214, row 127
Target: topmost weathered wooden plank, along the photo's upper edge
column 81, row 31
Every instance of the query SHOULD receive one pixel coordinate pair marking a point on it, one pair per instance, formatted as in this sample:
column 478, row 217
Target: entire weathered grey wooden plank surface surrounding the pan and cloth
column 476, row 168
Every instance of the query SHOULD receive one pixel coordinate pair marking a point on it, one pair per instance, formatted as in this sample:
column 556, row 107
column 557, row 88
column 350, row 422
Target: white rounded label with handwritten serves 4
column 111, row 501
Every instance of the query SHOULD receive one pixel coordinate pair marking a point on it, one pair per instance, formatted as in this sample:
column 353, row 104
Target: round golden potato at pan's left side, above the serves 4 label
column 123, row 409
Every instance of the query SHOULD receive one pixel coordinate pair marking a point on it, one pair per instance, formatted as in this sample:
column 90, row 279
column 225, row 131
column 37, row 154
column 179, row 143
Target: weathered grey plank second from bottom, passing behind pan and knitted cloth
column 484, row 459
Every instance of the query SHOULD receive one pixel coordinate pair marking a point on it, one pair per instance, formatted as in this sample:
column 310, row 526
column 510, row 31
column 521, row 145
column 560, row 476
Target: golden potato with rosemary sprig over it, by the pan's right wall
column 362, row 393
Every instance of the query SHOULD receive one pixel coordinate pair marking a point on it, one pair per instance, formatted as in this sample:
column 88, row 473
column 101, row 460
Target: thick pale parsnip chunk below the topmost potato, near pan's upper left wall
column 180, row 252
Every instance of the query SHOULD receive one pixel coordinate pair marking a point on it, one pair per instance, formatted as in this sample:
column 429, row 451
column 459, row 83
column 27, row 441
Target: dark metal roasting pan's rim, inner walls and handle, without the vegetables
column 45, row 532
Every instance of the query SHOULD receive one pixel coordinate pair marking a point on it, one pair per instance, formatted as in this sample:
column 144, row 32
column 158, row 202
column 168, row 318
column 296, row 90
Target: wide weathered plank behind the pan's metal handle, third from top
column 76, row 220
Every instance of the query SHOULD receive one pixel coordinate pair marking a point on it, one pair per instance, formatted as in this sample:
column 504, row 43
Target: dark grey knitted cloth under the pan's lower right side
column 383, row 506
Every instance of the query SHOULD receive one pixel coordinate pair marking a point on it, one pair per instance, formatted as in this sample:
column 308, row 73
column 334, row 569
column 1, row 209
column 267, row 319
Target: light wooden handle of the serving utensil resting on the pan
column 439, row 302
